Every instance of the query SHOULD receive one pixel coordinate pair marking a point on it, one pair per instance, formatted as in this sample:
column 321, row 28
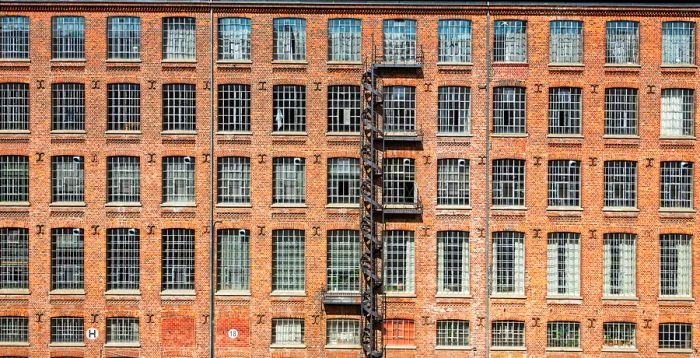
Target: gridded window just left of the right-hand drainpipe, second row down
column 454, row 110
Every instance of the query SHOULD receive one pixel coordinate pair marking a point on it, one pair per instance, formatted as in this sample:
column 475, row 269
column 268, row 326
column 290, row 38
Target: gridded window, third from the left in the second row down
column 123, row 107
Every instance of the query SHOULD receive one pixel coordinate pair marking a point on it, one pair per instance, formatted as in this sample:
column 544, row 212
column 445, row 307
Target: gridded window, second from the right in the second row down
column 621, row 111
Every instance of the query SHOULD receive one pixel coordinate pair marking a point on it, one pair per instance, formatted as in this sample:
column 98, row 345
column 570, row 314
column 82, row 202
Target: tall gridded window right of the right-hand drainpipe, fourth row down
column 508, row 263
